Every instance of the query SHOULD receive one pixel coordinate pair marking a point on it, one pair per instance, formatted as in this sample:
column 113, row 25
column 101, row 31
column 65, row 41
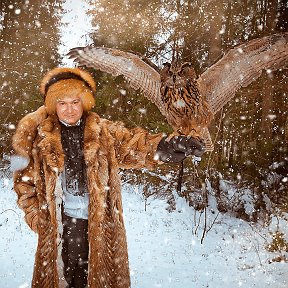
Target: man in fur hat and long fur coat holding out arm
column 70, row 189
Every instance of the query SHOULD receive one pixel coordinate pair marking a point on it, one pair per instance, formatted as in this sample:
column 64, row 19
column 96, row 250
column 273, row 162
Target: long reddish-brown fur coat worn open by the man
column 108, row 146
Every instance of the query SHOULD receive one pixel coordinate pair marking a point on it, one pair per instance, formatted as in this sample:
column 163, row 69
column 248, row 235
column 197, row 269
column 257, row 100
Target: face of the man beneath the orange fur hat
column 69, row 109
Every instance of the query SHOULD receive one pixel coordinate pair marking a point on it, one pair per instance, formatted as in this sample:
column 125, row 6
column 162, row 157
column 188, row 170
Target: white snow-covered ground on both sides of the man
column 164, row 249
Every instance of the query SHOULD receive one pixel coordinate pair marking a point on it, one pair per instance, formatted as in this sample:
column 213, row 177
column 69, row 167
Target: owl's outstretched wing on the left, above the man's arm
column 139, row 74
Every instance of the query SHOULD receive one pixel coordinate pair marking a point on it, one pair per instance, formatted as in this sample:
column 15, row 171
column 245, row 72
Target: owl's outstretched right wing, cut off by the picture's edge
column 241, row 66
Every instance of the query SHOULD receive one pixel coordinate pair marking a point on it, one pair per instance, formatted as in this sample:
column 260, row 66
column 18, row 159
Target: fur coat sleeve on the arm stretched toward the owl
column 135, row 148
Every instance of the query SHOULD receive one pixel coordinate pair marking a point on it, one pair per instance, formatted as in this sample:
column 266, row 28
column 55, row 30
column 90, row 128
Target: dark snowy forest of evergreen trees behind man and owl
column 250, row 134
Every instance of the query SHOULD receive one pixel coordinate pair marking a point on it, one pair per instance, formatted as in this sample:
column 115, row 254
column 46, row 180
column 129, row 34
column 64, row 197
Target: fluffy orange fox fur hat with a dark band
column 61, row 82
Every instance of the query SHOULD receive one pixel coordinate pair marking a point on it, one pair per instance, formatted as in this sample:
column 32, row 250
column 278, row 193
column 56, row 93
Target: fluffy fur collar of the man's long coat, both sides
column 48, row 129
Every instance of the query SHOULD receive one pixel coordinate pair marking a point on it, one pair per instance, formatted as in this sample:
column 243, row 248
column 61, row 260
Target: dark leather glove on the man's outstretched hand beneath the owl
column 178, row 148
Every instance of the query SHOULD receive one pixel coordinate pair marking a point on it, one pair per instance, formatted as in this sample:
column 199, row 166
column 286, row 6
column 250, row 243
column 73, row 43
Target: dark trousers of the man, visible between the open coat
column 75, row 251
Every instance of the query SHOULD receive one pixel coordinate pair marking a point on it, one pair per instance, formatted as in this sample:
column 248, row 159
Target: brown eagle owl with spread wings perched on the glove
column 189, row 103
